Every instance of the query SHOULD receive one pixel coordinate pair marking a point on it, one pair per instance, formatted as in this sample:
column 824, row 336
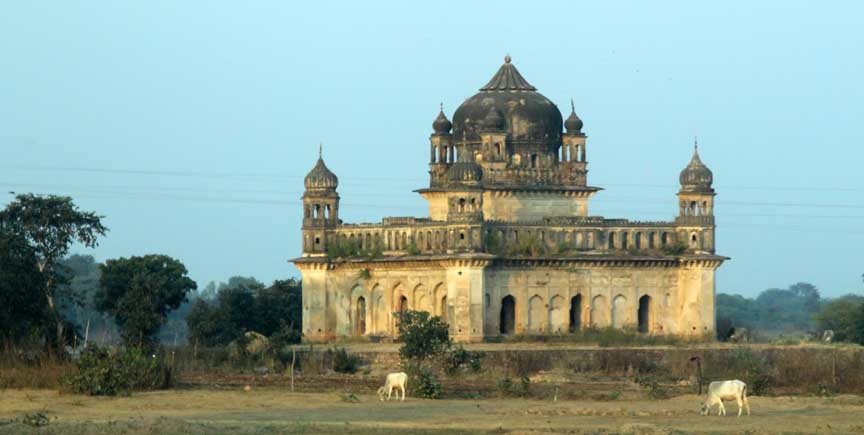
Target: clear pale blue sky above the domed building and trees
column 190, row 124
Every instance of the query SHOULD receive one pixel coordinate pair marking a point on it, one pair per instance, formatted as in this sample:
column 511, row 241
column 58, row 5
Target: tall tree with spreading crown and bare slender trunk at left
column 50, row 225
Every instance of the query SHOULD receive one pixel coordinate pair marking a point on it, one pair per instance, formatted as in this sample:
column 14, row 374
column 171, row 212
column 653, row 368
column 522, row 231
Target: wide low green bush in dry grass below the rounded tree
column 105, row 372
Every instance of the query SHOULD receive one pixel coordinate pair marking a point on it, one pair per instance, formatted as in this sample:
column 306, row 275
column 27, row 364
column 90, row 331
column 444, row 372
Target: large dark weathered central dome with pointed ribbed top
column 528, row 115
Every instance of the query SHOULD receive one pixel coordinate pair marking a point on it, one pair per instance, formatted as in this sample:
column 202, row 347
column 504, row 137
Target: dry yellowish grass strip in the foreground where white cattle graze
column 274, row 410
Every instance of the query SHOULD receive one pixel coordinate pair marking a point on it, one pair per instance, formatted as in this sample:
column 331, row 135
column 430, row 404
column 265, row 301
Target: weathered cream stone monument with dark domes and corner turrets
column 509, row 246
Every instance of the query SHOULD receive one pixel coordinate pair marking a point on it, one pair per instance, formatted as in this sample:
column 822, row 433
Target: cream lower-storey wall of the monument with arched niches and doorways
column 475, row 297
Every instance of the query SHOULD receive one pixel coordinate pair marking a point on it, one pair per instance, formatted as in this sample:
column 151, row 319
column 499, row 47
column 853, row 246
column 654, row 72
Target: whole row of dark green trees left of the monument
column 50, row 299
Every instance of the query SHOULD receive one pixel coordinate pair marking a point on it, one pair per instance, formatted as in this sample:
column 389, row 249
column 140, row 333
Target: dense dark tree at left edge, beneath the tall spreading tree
column 23, row 311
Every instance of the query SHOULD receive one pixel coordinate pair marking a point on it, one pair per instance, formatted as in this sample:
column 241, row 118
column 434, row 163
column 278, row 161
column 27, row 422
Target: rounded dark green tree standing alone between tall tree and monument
column 140, row 292
